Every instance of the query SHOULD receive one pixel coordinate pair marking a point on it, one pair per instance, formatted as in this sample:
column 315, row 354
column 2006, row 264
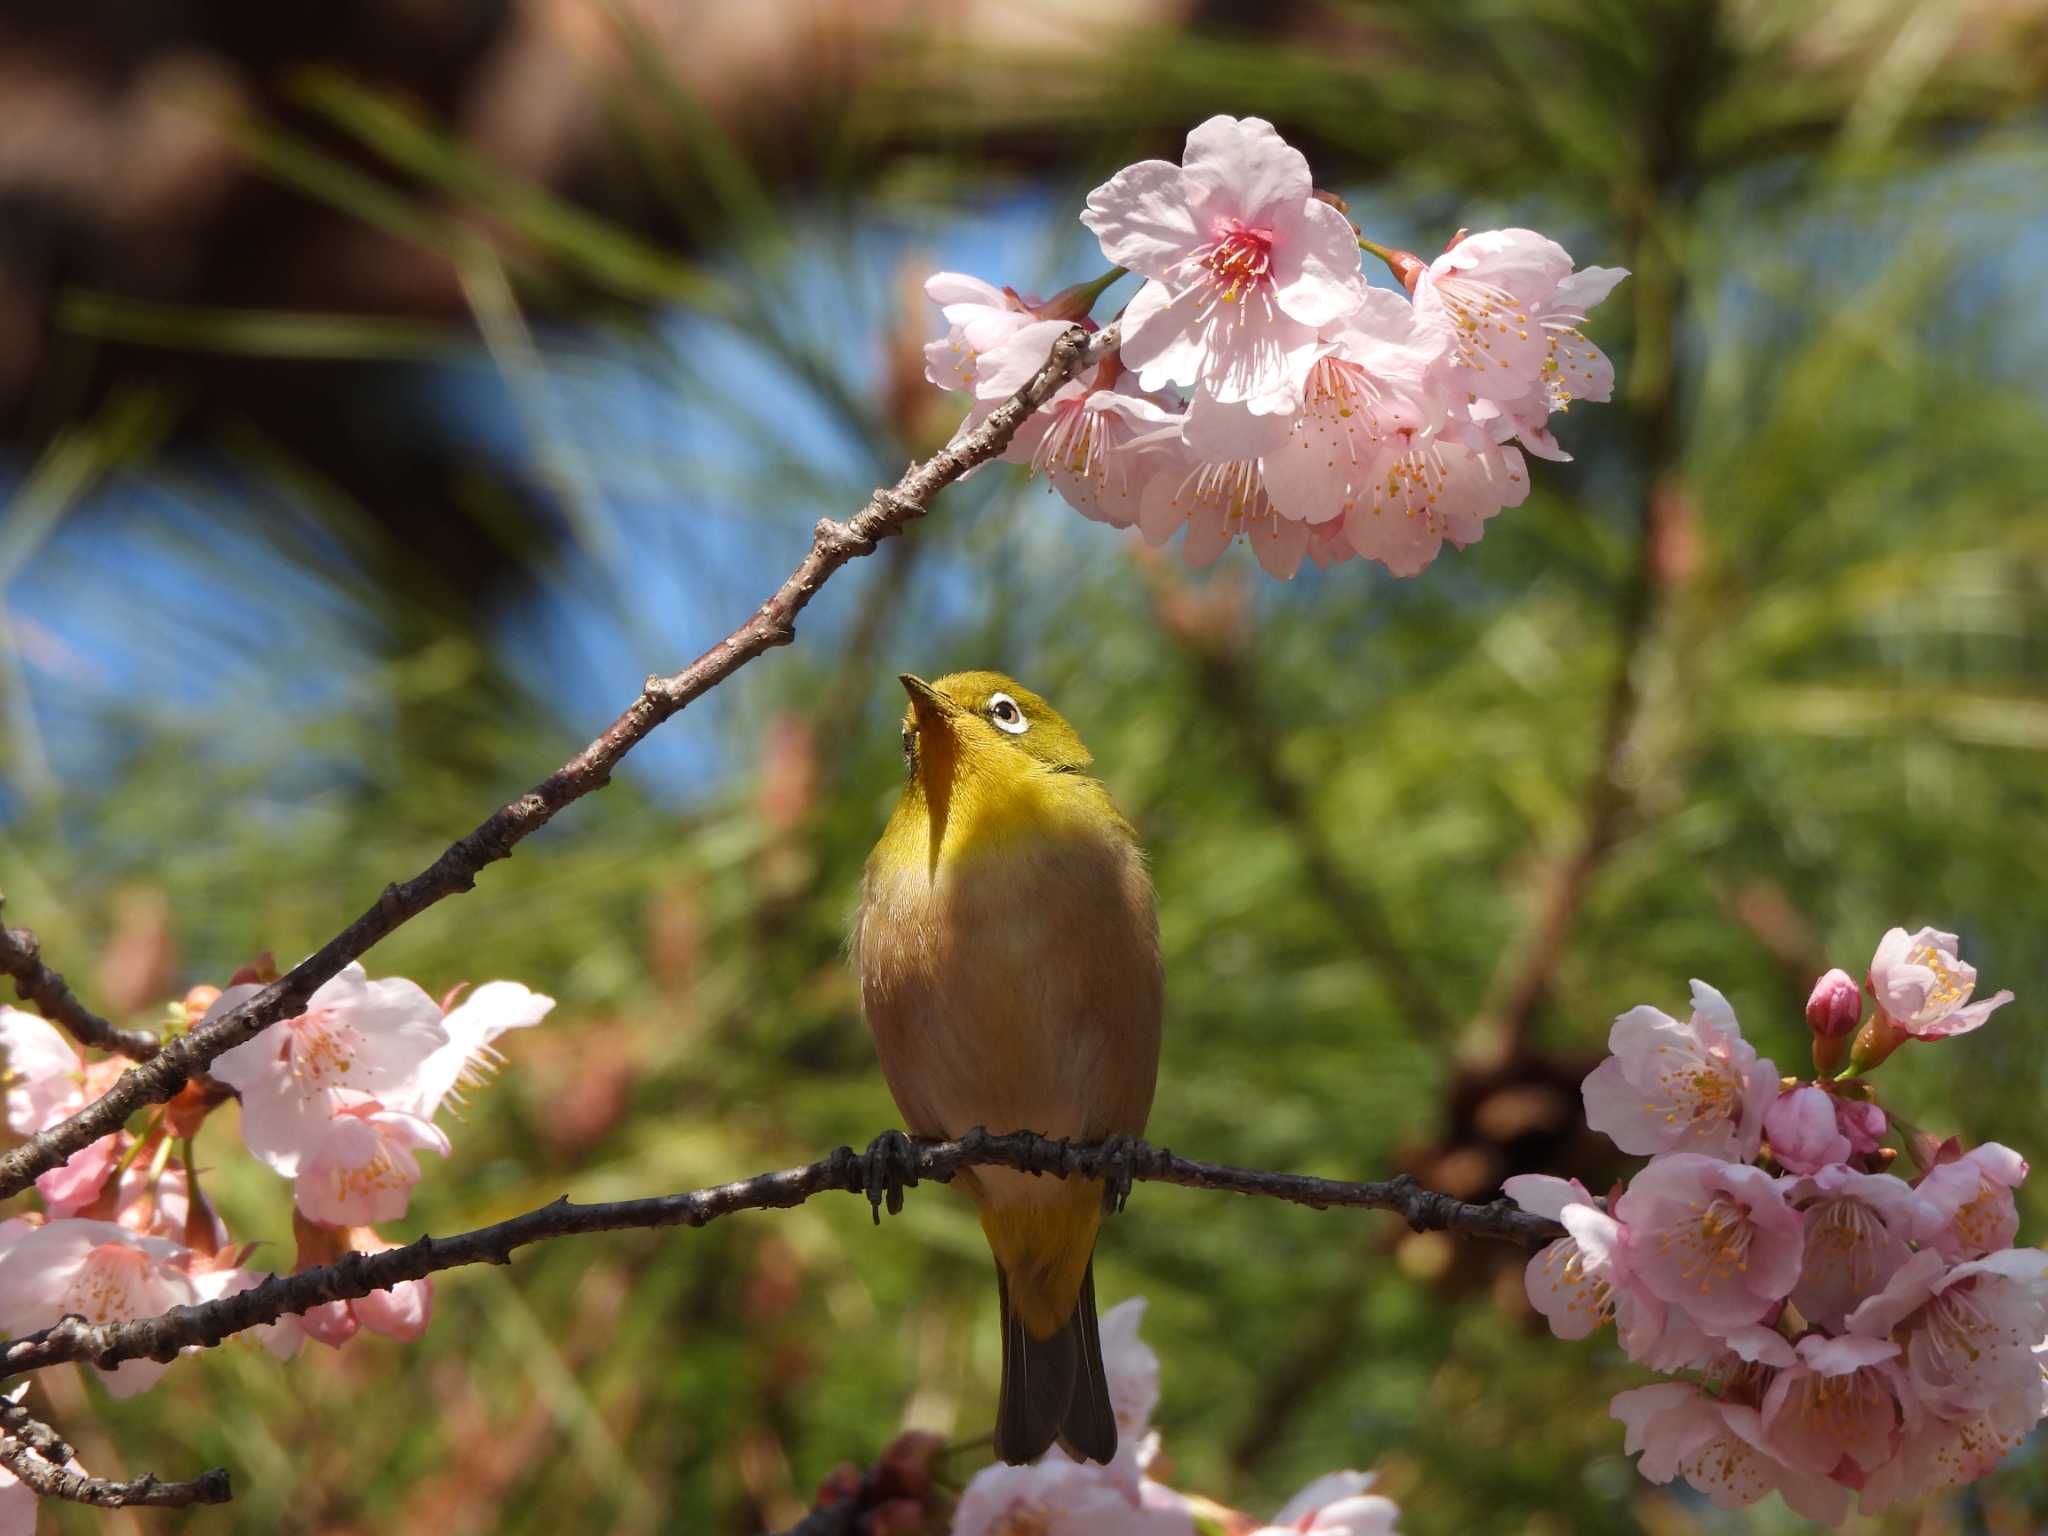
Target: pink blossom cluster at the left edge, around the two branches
column 341, row 1101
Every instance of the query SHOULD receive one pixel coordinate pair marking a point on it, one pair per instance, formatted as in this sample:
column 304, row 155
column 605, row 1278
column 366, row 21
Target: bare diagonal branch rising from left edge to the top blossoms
column 456, row 871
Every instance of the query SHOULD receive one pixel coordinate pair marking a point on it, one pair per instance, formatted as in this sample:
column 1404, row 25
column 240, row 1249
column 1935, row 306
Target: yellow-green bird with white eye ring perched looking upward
column 1011, row 974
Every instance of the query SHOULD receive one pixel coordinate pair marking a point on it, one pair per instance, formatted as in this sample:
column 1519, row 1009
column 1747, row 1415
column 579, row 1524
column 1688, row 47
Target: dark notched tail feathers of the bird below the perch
column 1054, row 1388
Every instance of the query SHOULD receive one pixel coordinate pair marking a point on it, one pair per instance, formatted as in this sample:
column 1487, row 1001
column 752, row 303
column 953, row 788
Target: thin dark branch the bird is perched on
column 892, row 1162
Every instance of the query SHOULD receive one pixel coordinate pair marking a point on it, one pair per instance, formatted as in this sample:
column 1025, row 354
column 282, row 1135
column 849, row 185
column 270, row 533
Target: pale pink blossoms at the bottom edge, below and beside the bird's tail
column 1060, row 1496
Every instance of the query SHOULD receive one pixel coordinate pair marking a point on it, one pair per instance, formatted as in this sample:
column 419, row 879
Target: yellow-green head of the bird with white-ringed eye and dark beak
column 984, row 726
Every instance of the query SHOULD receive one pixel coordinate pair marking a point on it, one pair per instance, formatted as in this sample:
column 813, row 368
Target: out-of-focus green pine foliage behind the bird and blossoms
column 1809, row 542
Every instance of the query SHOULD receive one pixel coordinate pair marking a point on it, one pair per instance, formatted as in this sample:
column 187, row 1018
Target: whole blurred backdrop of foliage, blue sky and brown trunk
column 388, row 388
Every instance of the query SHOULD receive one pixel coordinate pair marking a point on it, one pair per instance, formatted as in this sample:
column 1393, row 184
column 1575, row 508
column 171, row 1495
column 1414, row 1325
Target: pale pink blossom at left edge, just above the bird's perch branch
column 101, row 1271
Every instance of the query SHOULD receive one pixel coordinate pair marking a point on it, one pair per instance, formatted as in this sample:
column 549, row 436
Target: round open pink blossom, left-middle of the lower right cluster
column 1709, row 1238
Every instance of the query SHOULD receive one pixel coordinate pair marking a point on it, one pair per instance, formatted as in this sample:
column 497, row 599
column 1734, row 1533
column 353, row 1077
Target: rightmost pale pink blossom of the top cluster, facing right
column 1510, row 310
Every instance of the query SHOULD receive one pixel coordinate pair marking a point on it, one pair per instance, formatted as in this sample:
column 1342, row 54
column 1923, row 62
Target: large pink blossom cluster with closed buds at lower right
column 1836, row 1330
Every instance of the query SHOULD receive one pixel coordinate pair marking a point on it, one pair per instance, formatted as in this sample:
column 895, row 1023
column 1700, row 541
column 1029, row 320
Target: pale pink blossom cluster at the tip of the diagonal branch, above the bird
column 1263, row 390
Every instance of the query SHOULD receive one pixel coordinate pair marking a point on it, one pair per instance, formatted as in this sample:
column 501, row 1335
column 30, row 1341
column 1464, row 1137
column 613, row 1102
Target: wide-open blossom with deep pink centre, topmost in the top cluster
column 1244, row 263
